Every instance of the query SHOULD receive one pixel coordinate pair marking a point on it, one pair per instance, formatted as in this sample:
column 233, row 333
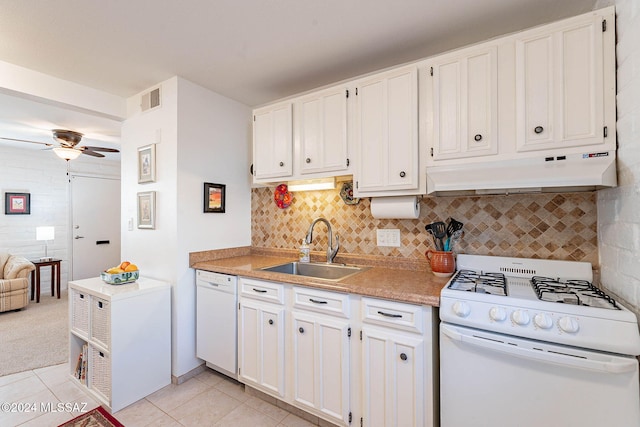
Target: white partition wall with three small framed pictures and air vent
column 201, row 137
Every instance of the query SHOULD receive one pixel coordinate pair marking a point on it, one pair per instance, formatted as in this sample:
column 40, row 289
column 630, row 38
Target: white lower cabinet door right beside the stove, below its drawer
column 393, row 378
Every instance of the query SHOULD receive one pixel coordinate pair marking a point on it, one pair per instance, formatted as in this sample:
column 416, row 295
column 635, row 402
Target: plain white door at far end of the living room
column 95, row 225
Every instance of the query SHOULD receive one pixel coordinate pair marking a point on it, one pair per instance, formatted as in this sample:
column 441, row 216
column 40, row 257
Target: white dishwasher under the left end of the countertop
column 216, row 321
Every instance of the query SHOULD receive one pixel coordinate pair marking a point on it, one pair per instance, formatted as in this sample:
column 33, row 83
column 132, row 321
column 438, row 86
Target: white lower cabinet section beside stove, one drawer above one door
column 397, row 383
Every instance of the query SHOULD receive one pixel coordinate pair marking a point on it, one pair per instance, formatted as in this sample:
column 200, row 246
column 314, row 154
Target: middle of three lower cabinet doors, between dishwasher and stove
column 321, row 364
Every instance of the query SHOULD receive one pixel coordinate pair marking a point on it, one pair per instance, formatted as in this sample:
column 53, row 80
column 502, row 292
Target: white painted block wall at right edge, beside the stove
column 619, row 208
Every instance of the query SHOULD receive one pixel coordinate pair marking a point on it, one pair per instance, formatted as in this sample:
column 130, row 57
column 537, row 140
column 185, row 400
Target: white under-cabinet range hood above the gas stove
column 575, row 172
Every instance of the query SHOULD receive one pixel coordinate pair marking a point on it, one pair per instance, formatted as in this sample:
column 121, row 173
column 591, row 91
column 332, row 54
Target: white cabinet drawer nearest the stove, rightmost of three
column 397, row 315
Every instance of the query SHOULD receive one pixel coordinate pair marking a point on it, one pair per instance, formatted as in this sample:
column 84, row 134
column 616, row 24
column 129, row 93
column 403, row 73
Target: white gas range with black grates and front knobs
column 519, row 331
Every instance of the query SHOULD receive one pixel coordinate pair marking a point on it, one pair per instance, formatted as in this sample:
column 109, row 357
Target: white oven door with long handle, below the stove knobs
column 489, row 379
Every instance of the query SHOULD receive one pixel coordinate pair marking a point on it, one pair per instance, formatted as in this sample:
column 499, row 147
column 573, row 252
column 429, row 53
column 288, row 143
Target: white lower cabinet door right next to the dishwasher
column 261, row 345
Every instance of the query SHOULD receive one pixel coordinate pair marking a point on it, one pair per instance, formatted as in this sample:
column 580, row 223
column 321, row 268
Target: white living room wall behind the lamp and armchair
column 42, row 174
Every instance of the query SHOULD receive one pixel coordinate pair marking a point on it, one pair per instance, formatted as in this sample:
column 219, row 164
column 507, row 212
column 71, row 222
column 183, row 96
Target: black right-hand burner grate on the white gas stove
column 575, row 292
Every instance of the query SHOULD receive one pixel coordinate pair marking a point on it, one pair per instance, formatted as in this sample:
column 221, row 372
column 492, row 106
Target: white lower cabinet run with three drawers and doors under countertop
column 300, row 345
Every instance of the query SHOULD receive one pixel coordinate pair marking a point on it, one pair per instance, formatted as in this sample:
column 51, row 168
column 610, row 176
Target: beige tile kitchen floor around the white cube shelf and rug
column 208, row 399
